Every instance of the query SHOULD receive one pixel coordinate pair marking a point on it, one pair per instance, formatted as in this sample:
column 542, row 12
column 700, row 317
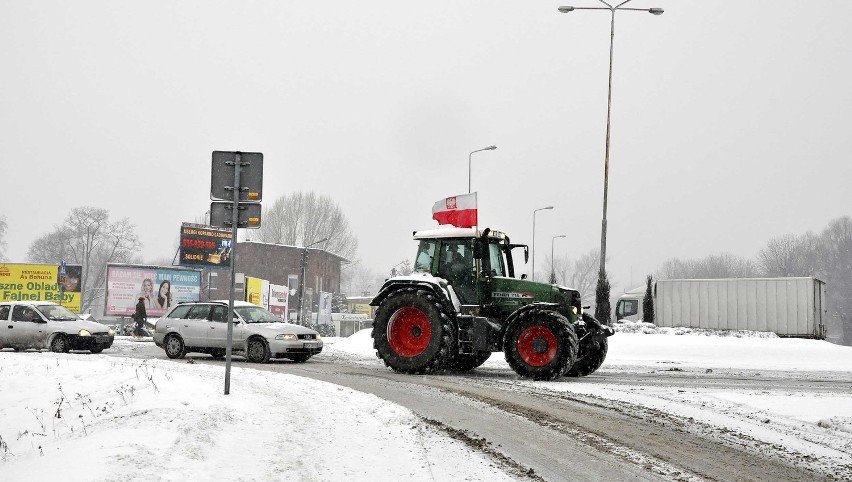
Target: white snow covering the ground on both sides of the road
column 97, row 417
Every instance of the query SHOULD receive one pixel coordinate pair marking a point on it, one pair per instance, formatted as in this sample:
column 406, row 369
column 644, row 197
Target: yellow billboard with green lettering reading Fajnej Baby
column 40, row 282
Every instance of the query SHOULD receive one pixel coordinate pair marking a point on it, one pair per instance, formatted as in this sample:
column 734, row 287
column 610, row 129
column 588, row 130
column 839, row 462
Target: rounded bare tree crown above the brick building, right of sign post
column 299, row 219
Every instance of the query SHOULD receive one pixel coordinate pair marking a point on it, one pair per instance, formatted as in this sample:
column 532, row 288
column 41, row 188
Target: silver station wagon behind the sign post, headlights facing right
column 202, row 327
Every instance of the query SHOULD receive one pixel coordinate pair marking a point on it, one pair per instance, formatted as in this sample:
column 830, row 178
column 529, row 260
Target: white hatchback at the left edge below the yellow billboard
column 46, row 325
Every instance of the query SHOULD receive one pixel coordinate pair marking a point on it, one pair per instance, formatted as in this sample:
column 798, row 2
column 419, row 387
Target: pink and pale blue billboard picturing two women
column 162, row 288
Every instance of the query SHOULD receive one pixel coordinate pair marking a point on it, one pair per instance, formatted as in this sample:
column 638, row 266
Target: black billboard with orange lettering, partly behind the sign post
column 205, row 246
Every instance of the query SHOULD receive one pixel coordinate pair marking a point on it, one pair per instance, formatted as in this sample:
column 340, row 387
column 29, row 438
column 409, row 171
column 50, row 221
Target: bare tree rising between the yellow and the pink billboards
column 87, row 237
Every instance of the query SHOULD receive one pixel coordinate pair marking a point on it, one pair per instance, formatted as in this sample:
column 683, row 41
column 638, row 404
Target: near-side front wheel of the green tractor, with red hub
column 540, row 344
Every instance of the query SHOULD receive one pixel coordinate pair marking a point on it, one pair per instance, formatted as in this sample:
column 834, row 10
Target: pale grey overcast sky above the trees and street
column 730, row 126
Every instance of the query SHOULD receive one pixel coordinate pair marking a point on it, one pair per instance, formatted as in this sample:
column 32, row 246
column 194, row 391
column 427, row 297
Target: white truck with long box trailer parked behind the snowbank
column 791, row 307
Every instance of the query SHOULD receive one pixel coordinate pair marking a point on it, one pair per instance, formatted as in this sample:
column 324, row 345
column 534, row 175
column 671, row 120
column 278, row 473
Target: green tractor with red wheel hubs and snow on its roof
column 463, row 302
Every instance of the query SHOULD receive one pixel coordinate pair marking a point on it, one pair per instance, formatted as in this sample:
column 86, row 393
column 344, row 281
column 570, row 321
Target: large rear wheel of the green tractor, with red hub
column 412, row 332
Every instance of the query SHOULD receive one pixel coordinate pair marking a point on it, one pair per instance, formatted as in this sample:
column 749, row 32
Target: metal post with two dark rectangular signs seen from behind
column 237, row 184
